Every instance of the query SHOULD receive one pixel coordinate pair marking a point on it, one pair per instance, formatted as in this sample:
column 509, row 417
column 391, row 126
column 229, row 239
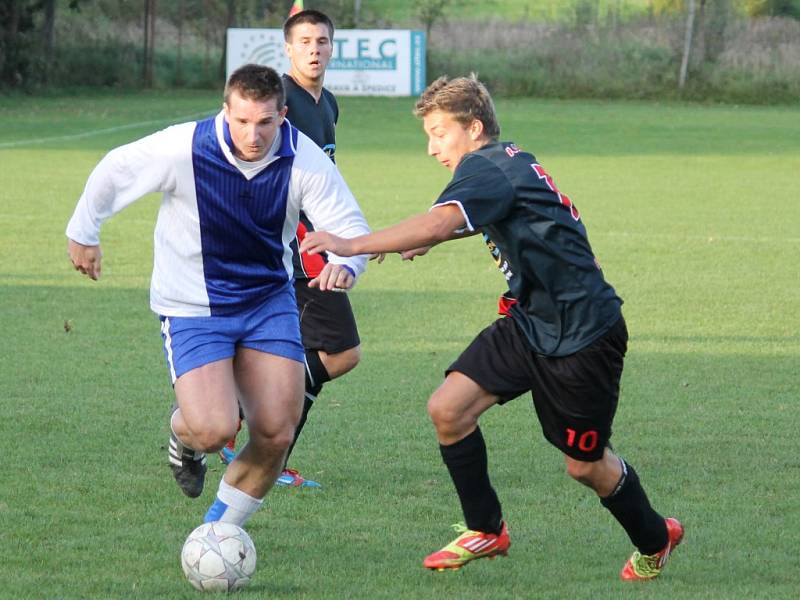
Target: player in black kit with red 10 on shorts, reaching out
column 562, row 337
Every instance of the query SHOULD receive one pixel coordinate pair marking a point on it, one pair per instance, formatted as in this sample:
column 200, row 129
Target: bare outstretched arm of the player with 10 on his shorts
column 427, row 229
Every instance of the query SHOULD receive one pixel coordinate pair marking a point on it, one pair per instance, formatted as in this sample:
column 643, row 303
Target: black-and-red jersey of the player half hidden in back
column 318, row 121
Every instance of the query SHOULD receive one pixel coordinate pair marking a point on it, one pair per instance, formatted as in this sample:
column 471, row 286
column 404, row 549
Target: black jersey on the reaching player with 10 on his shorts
column 557, row 293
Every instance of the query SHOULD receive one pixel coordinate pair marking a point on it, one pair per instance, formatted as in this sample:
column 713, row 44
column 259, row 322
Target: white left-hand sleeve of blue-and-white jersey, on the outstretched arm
column 126, row 174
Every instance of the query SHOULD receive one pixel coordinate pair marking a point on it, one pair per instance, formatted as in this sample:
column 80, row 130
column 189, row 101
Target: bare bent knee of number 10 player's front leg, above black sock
column 455, row 407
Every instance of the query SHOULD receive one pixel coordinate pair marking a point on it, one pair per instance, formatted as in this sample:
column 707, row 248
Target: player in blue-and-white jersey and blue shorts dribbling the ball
column 233, row 186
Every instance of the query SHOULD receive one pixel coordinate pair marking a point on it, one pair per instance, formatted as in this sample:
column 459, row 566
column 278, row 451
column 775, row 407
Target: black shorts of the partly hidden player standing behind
column 327, row 322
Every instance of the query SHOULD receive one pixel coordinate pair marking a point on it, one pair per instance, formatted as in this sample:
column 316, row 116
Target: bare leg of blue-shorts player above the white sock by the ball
column 271, row 389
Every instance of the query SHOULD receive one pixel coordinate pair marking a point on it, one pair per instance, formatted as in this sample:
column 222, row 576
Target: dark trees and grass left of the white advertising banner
column 118, row 42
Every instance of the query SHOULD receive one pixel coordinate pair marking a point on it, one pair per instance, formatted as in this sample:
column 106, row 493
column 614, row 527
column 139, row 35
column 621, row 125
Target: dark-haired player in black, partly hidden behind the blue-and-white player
column 327, row 323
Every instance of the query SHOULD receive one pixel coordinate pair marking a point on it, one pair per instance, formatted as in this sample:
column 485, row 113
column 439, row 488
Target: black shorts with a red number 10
column 575, row 396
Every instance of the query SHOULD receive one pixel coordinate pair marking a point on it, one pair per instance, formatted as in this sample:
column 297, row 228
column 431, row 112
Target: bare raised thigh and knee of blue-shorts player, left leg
column 207, row 415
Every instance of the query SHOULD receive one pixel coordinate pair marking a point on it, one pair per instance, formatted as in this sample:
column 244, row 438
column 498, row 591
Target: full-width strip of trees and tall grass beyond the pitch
column 734, row 50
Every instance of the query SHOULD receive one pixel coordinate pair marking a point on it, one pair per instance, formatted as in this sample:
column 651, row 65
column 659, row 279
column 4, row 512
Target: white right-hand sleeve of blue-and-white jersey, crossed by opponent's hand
column 326, row 200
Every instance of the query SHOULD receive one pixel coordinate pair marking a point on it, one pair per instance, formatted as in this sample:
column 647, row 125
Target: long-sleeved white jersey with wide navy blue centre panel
column 223, row 230
